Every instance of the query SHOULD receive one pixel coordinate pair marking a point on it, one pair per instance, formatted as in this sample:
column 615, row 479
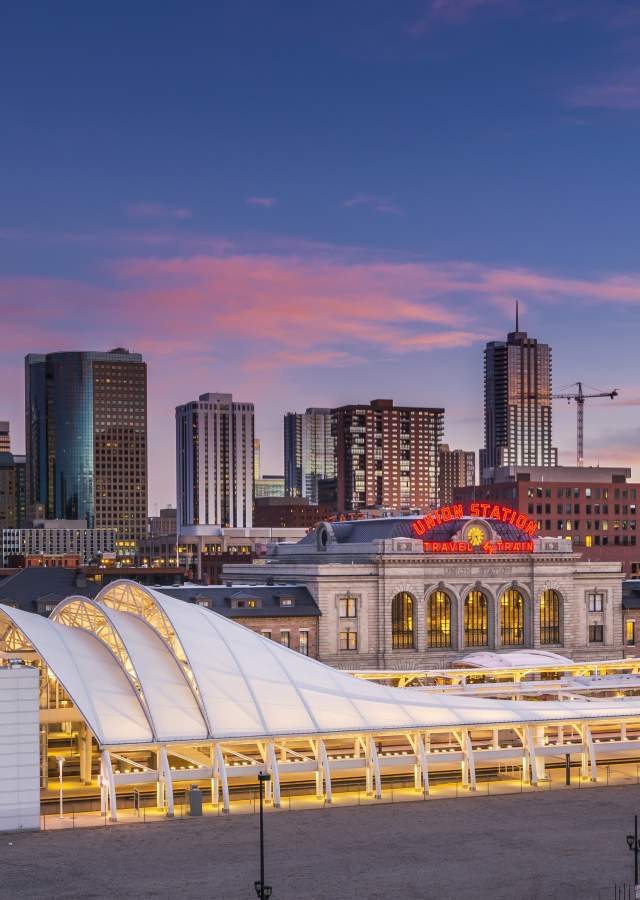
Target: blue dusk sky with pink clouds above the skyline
column 319, row 204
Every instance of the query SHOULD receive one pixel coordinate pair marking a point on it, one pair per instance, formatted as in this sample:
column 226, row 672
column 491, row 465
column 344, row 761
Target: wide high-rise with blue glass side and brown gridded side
column 86, row 439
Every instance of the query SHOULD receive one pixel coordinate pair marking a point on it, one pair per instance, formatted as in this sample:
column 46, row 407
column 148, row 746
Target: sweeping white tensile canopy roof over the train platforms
column 143, row 667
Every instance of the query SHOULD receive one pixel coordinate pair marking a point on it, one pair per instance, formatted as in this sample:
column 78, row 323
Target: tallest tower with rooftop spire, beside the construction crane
column 517, row 404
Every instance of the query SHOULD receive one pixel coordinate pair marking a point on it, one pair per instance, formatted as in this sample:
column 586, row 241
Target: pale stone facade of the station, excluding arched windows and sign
column 372, row 574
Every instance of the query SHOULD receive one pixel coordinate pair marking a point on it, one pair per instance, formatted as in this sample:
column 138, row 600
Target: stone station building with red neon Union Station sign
column 414, row 592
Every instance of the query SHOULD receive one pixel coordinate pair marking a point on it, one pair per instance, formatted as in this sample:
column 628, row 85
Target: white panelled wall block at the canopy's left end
column 19, row 748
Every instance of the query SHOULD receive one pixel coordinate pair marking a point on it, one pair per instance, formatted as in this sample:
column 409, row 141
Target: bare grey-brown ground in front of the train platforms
column 553, row 846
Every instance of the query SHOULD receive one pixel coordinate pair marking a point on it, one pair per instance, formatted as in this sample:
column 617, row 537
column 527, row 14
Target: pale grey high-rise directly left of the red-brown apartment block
column 309, row 452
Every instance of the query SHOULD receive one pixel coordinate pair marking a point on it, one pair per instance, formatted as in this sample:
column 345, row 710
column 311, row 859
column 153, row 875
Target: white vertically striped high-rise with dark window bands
column 215, row 458
